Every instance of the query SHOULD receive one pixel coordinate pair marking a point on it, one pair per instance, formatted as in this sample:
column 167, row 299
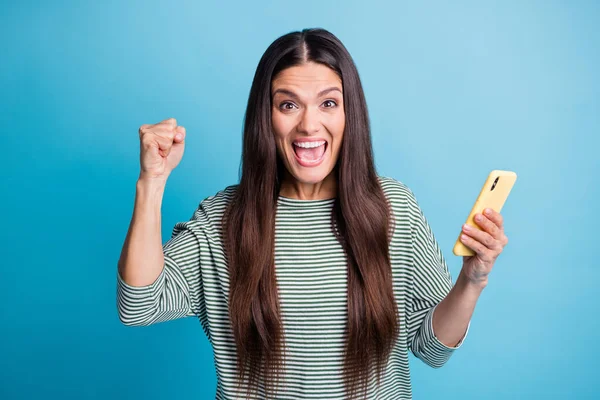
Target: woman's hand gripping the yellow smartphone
column 487, row 243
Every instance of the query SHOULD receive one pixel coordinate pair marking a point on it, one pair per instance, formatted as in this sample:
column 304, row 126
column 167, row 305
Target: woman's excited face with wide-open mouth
column 308, row 120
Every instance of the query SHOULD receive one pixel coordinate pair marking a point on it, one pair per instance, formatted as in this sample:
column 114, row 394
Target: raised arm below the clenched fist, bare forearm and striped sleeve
column 157, row 283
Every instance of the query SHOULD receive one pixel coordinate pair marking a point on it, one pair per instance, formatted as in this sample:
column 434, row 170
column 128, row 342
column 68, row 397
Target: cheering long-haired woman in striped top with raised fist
column 313, row 276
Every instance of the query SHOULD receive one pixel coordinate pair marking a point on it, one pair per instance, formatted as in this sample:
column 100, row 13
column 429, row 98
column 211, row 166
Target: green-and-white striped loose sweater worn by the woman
column 311, row 275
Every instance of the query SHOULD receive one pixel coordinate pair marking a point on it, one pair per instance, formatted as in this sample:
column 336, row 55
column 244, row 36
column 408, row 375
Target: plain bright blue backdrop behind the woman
column 454, row 91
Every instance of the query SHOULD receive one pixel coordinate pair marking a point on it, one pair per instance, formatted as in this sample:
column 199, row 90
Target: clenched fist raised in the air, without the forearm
column 161, row 149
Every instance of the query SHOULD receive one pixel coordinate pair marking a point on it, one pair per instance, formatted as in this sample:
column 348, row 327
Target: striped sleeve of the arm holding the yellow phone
column 431, row 282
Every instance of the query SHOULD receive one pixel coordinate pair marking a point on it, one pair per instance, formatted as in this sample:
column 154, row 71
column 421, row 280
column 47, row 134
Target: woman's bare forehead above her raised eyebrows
column 308, row 78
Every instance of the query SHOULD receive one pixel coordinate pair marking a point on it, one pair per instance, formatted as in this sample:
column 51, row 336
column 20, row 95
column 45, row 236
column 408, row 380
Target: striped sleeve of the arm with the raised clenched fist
column 178, row 291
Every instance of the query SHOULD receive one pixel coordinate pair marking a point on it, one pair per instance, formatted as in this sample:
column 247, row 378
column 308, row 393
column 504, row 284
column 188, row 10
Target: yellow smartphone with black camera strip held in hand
column 493, row 195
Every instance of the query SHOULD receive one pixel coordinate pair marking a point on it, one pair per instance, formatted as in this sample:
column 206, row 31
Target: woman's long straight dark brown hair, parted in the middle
column 361, row 219
